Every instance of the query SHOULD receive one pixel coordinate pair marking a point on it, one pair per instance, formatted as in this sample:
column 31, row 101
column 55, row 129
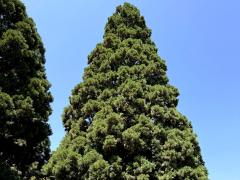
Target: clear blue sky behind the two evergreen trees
column 200, row 41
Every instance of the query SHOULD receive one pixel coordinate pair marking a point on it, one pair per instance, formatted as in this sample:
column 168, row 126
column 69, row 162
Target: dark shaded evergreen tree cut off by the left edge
column 24, row 94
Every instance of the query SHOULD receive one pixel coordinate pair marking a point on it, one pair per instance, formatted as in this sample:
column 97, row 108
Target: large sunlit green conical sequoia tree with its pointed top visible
column 122, row 121
